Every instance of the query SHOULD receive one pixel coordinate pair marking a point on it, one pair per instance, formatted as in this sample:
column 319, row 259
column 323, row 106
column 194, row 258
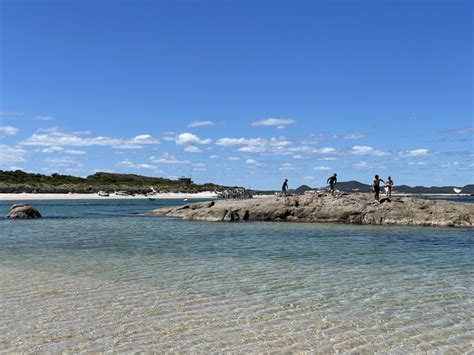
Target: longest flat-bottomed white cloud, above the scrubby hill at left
column 56, row 137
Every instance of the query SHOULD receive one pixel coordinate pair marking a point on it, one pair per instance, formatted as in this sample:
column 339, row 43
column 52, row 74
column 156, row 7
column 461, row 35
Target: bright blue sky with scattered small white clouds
column 243, row 93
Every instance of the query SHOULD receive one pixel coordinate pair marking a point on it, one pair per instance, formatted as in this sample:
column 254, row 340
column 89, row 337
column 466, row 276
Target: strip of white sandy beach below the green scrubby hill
column 73, row 196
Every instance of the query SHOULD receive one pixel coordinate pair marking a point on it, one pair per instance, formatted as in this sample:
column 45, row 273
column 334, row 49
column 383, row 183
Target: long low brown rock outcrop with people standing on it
column 357, row 208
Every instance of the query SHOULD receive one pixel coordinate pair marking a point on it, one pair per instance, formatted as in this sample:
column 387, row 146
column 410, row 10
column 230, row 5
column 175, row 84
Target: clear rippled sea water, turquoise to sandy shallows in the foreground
column 90, row 276
